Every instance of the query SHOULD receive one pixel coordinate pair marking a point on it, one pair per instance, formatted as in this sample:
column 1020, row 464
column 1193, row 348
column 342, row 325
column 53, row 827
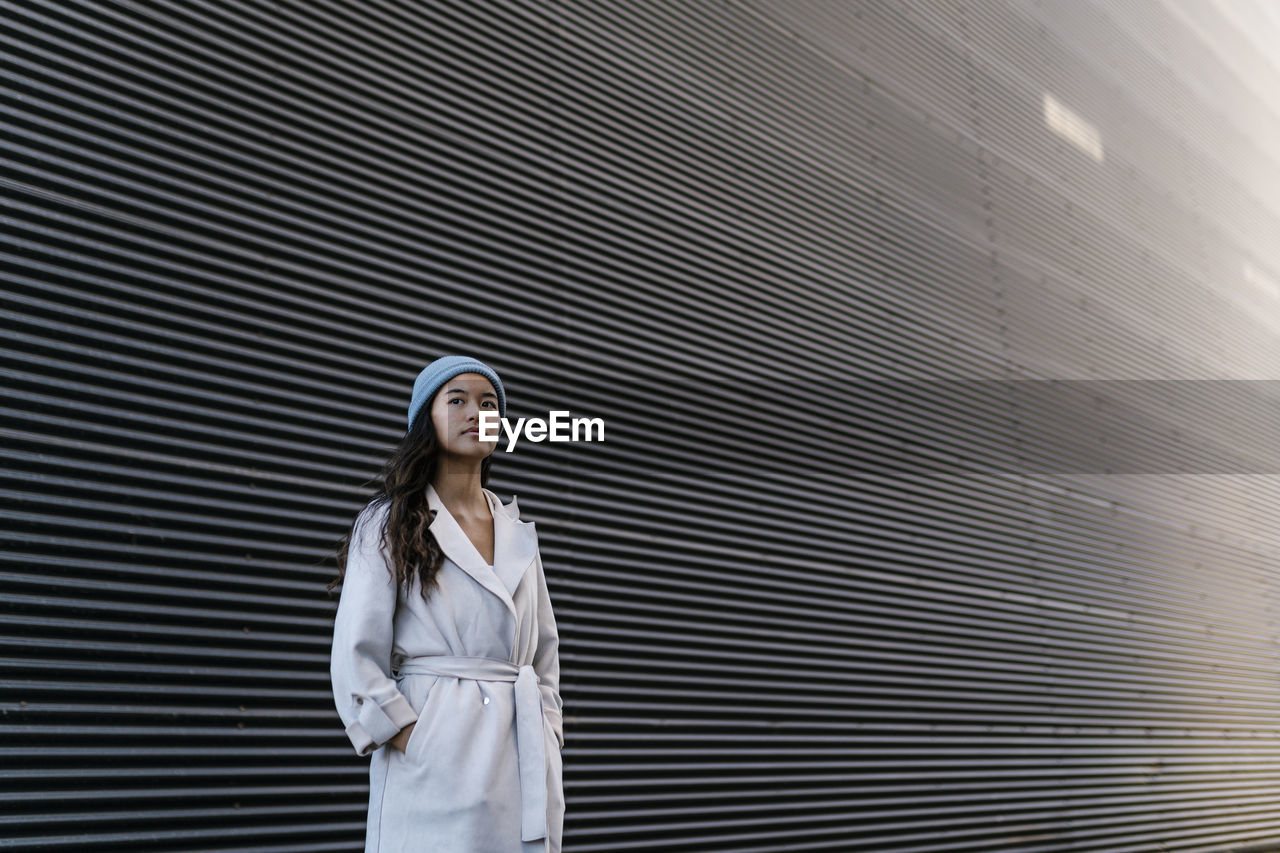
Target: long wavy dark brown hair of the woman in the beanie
column 403, row 486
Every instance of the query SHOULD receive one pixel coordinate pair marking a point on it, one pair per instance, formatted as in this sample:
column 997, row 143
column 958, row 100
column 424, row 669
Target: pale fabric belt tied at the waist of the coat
column 531, row 738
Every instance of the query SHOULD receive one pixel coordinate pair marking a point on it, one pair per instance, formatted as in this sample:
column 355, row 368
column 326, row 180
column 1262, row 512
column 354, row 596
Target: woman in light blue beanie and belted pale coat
column 446, row 665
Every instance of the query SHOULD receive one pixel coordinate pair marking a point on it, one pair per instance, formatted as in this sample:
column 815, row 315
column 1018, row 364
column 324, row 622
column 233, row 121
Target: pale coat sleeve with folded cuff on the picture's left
column 369, row 701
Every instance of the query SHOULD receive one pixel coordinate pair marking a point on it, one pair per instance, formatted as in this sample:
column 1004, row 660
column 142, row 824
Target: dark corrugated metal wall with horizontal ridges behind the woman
column 235, row 231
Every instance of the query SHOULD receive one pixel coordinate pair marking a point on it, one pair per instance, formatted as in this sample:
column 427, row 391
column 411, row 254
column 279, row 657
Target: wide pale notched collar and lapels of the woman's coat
column 515, row 545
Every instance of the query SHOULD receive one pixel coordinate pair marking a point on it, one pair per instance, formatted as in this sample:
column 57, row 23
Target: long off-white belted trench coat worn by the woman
column 478, row 667
